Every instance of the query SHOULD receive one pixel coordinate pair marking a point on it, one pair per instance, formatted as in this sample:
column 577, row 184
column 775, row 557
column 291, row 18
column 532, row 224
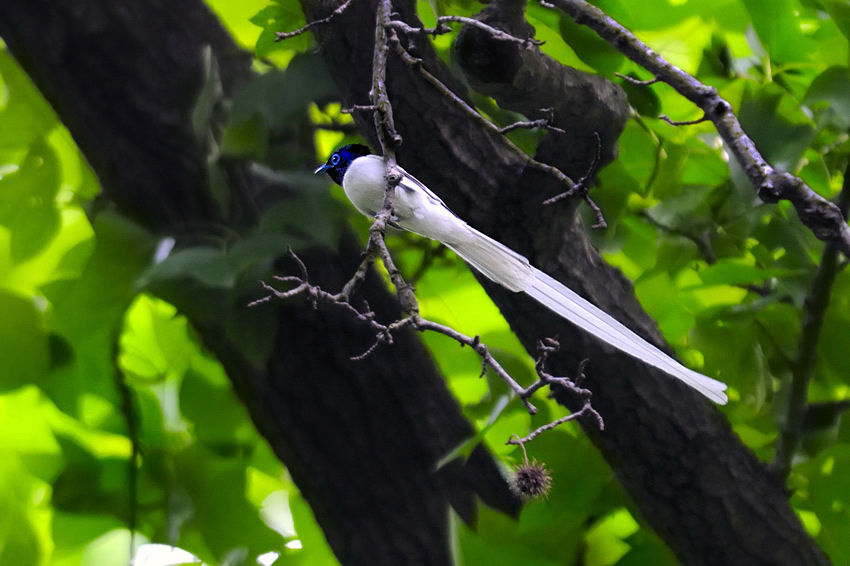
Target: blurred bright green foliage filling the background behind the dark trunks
column 113, row 419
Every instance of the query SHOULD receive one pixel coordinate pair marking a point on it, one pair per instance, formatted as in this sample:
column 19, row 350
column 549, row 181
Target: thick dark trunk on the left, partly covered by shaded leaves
column 361, row 439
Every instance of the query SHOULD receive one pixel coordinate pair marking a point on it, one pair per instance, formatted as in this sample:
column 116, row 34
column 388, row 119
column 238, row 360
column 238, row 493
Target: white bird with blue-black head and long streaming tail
column 417, row 209
